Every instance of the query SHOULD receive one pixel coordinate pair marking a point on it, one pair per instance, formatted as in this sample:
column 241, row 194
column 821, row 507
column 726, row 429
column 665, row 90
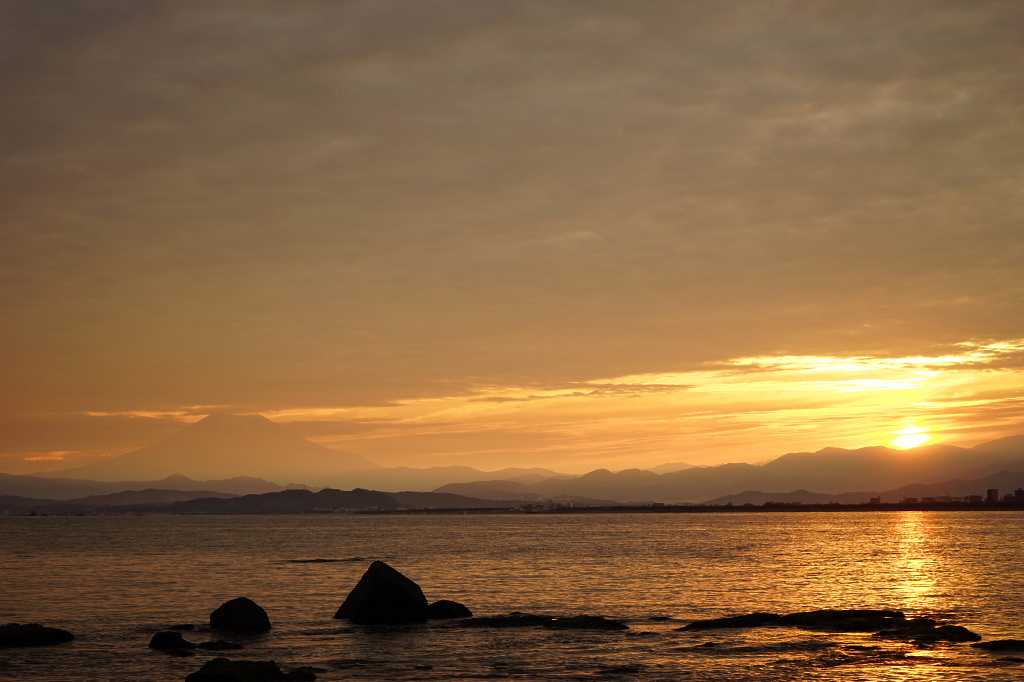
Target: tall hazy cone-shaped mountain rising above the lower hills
column 223, row 447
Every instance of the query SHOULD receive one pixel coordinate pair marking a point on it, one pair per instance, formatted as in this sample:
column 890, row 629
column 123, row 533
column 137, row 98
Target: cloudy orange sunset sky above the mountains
column 561, row 234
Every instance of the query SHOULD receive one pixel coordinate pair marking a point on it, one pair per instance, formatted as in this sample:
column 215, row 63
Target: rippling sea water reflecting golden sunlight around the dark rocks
column 115, row 581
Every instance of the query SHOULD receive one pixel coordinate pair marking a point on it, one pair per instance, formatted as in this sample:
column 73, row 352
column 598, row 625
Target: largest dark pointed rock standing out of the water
column 385, row 596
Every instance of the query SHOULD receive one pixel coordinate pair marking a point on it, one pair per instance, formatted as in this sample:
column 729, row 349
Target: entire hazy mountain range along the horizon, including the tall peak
column 212, row 454
